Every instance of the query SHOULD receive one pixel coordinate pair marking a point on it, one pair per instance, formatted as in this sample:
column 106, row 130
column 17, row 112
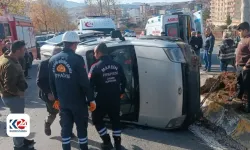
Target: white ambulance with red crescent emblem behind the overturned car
column 103, row 24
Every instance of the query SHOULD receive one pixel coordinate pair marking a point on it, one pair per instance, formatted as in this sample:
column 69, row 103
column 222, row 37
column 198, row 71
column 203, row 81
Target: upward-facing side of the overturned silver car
column 90, row 45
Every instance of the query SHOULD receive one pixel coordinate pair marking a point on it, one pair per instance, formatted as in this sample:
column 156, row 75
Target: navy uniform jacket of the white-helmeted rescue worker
column 69, row 81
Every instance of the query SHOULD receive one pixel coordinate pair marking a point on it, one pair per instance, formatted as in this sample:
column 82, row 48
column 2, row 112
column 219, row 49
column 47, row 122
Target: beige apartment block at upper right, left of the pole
column 220, row 9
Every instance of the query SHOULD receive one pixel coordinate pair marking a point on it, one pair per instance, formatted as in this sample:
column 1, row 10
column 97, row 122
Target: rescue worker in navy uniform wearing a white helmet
column 70, row 86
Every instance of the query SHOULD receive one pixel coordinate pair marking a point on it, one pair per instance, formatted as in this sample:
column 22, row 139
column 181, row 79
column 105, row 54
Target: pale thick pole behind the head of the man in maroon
column 245, row 11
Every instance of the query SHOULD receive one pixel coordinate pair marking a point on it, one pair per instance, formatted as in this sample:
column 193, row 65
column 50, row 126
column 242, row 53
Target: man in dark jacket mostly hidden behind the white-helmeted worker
column 45, row 93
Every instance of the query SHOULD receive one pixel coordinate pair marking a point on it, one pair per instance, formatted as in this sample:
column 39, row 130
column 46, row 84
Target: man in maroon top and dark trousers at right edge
column 243, row 63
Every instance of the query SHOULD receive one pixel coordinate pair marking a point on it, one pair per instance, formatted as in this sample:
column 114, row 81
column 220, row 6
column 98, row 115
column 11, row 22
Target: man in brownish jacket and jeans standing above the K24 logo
column 13, row 85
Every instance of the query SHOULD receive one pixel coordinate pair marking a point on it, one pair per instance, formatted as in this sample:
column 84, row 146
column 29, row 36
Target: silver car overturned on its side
column 163, row 79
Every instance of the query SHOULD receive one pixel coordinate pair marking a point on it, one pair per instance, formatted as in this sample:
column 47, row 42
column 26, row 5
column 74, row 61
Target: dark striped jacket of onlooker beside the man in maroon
column 227, row 50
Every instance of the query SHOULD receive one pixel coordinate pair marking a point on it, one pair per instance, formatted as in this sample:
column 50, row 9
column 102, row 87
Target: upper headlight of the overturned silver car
column 175, row 55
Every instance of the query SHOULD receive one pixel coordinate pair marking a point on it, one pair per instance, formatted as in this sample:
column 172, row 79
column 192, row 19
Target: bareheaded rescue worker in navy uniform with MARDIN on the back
column 108, row 79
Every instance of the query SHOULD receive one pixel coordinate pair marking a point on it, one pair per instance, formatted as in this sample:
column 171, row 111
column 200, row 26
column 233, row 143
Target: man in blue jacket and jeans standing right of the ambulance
column 209, row 46
